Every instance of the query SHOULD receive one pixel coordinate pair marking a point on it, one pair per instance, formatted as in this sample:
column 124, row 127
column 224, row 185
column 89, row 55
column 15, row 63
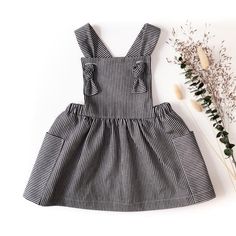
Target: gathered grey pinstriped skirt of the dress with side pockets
column 119, row 164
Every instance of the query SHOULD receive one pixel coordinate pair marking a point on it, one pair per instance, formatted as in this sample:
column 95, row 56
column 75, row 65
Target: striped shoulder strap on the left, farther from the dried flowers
column 90, row 44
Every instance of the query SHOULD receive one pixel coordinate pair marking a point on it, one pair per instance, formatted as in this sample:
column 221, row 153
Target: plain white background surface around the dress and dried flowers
column 41, row 74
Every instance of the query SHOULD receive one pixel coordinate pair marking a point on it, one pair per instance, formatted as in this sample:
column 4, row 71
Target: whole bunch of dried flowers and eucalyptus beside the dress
column 209, row 77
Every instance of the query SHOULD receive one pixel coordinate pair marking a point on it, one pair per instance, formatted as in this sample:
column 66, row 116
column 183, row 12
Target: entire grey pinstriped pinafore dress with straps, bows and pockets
column 117, row 151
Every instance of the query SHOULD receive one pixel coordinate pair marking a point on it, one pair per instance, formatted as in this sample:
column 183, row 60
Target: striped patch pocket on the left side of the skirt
column 48, row 154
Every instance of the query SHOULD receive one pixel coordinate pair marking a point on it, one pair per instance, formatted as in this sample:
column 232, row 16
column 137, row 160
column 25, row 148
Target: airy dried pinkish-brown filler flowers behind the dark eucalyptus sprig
column 212, row 65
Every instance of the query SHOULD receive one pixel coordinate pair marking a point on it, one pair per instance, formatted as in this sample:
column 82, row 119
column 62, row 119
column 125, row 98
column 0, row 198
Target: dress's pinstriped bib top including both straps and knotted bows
column 117, row 87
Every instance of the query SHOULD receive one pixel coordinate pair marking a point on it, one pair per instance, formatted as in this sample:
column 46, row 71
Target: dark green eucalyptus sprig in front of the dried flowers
column 198, row 88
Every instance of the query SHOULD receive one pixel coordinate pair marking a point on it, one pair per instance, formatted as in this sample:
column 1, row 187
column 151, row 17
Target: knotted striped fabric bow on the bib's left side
column 90, row 88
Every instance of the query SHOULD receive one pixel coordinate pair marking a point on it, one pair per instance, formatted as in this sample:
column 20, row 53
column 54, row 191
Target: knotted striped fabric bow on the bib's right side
column 138, row 72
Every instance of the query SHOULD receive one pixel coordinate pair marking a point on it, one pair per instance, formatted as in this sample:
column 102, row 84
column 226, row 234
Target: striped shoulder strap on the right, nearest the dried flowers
column 145, row 42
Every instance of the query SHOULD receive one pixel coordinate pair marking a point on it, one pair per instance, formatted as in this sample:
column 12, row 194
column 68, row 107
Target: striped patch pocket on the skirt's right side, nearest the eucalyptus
column 194, row 166
